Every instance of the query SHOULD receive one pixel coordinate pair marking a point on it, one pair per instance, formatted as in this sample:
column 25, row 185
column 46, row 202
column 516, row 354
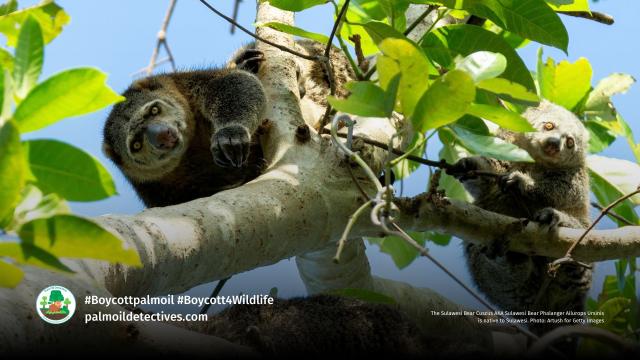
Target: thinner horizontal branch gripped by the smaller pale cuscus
column 477, row 225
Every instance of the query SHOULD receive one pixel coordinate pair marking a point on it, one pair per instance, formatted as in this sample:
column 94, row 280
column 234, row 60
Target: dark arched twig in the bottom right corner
column 606, row 337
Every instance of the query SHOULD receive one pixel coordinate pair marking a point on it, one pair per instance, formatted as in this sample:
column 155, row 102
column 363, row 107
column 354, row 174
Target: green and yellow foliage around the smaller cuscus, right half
column 458, row 81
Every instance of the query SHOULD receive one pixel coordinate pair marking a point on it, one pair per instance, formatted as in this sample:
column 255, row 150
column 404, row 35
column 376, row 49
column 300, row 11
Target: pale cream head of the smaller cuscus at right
column 560, row 138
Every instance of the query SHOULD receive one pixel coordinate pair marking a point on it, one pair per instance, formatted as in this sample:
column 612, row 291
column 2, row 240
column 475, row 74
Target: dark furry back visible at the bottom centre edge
column 323, row 325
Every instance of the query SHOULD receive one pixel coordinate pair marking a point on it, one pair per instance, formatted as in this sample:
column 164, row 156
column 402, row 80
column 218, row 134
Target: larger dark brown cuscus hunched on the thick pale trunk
column 213, row 113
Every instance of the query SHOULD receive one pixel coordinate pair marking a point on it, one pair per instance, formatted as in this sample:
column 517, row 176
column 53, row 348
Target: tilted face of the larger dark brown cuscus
column 146, row 135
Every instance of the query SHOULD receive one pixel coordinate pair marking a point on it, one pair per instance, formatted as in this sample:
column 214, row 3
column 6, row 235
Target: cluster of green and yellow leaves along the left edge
column 37, row 176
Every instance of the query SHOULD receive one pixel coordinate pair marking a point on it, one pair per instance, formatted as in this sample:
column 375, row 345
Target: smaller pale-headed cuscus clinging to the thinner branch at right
column 555, row 191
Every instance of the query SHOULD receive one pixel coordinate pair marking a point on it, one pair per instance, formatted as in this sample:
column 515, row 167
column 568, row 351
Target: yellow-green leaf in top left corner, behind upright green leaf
column 52, row 19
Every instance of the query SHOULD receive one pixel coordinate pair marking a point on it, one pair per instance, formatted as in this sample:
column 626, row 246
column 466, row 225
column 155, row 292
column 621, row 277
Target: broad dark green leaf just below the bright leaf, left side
column 68, row 171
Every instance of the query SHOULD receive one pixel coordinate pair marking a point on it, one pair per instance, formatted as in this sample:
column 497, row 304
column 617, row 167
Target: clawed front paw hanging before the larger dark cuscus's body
column 230, row 146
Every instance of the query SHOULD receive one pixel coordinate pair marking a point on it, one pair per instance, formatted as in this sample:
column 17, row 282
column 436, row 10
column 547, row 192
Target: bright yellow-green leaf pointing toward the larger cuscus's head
column 69, row 93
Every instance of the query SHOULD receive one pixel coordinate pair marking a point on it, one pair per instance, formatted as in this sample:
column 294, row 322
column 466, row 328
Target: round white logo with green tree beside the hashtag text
column 55, row 304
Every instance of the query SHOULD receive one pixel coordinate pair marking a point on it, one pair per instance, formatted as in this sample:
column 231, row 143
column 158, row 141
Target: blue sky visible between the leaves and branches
column 118, row 37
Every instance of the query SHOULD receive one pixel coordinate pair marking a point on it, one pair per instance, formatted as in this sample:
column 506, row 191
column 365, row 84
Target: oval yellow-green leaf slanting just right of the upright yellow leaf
column 445, row 101
